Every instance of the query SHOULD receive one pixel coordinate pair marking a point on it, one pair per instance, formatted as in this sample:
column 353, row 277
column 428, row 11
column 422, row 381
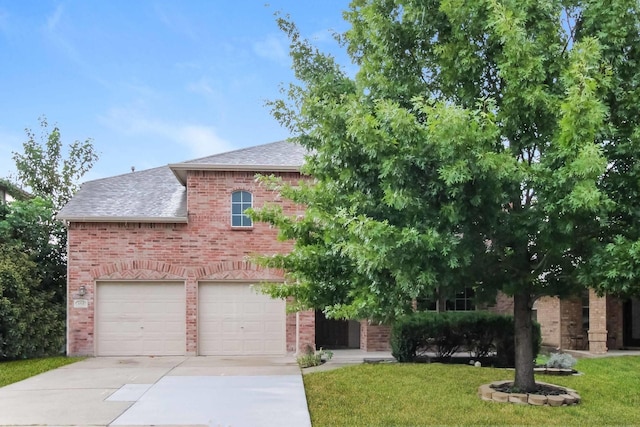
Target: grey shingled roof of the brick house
column 159, row 194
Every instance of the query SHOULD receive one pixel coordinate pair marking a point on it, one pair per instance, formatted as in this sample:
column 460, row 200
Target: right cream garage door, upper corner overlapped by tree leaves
column 234, row 319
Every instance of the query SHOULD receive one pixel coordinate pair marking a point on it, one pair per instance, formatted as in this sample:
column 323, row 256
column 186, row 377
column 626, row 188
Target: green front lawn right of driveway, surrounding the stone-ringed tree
column 435, row 394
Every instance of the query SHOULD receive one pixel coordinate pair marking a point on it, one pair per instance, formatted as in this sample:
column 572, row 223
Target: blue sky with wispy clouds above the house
column 151, row 82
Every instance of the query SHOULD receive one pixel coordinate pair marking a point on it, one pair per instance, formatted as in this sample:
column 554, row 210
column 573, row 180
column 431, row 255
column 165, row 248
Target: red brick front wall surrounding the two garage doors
column 207, row 248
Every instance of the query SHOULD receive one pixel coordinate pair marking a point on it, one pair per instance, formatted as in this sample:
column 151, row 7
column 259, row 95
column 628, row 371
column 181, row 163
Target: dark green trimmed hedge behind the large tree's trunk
column 479, row 333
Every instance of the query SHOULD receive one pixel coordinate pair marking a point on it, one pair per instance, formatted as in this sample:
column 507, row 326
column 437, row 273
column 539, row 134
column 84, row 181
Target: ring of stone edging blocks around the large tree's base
column 570, row 397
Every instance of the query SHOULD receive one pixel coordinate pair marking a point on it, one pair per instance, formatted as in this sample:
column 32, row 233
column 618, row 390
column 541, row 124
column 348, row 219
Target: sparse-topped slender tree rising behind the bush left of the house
column 51, row 173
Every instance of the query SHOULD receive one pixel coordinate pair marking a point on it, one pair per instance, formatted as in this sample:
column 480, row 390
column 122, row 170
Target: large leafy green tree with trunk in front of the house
column 484, row 143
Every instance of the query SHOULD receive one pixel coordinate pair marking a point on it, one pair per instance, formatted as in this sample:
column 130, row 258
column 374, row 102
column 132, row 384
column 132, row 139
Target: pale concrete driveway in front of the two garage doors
column 161, row 391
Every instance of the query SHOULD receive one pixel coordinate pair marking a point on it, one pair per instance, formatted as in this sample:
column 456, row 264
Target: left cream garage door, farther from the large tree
column 140, row 319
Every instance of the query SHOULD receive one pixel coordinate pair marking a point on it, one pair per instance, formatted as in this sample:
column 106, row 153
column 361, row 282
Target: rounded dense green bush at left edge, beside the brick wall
column 31, row 325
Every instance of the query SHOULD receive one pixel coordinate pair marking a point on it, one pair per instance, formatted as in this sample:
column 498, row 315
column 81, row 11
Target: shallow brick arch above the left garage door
column 140, row 270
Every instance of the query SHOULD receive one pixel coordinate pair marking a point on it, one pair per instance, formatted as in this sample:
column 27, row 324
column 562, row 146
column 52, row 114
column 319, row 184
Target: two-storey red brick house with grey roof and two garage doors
column 159, row 265
